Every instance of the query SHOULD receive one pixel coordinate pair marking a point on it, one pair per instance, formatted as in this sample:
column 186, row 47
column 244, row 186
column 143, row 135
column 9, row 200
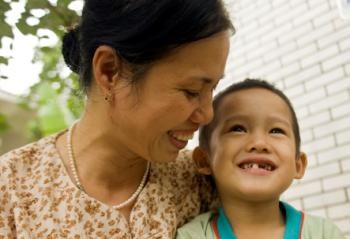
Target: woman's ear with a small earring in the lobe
column 105, row 66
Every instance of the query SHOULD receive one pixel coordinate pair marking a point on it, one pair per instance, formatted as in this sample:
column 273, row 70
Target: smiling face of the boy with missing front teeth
column 252, row 148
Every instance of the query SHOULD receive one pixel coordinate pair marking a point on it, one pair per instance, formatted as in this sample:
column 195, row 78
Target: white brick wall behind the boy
column 304, row 48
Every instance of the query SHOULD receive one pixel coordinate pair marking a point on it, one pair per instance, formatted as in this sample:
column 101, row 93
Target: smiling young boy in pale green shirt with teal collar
column 252, row 150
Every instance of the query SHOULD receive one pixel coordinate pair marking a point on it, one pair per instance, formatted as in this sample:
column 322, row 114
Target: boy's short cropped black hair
column 206, row 131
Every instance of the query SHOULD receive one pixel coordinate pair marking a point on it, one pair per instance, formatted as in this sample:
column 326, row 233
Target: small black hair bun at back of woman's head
column 71, row 49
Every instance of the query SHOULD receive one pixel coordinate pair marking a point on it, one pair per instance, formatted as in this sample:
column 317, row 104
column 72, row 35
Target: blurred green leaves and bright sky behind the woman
column 38, row 94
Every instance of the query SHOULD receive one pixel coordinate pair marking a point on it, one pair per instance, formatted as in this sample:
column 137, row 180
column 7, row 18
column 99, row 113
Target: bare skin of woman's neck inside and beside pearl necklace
column 106, row 171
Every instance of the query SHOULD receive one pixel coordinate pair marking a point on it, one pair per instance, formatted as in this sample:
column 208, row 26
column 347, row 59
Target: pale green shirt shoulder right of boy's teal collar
column 318, row 227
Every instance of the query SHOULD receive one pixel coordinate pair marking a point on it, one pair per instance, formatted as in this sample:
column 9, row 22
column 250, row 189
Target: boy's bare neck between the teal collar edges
column 255, row 219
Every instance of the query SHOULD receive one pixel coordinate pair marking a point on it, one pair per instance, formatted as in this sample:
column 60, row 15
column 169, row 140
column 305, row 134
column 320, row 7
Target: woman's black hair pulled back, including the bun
column 141, row 31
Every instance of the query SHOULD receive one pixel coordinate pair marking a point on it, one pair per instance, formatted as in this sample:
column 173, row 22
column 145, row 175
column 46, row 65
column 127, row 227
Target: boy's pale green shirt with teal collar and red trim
column 298, row 226
